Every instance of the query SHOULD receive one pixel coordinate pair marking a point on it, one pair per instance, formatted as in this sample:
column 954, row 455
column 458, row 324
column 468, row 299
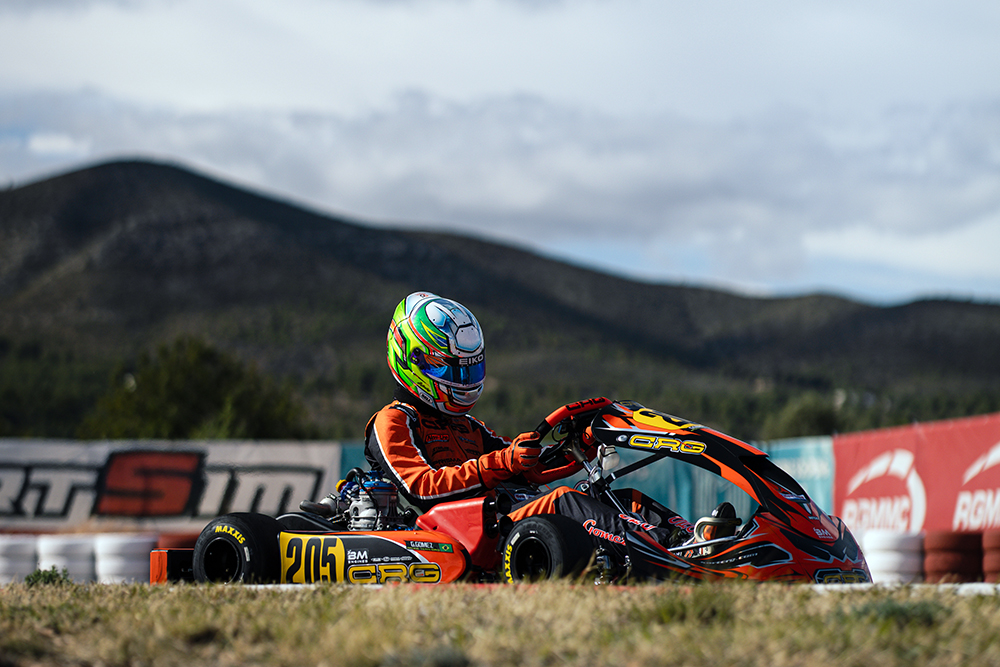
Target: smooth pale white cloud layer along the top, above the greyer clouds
column 708, row 60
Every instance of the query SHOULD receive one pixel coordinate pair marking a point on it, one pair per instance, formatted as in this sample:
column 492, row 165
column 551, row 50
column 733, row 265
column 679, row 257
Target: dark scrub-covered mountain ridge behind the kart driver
column 101, row 263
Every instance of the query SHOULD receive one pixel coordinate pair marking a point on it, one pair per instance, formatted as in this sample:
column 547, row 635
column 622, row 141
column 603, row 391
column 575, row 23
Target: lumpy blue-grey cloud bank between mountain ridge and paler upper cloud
column 758, row 201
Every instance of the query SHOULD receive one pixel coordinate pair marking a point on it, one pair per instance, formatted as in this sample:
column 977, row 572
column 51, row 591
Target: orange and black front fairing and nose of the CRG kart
column 789, row 538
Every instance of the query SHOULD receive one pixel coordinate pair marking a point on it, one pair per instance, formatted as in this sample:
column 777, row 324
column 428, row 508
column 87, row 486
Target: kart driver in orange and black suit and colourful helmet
column 427, row 443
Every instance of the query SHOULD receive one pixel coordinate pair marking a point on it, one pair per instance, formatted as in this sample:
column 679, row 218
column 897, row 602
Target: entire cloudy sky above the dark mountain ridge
column 772, row 147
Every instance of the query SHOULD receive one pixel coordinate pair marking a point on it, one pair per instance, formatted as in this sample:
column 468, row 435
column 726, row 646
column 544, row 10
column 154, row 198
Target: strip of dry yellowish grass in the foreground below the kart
column 458, row 625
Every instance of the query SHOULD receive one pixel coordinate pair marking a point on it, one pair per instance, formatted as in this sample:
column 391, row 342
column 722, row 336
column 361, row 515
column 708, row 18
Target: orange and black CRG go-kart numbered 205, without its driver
column 366, row 538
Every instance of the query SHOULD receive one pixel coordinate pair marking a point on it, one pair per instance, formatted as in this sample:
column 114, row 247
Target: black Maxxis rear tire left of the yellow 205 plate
column 241, row 547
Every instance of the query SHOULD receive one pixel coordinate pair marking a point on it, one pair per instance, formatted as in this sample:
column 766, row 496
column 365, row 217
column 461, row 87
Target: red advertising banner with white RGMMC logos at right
column 932, row 476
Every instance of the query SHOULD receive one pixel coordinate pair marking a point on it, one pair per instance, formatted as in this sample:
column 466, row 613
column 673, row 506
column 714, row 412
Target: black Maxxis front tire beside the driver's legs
column 548, row 546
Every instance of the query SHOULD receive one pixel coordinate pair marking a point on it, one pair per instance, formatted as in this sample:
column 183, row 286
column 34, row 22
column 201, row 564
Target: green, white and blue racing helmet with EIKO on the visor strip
column 435, row 350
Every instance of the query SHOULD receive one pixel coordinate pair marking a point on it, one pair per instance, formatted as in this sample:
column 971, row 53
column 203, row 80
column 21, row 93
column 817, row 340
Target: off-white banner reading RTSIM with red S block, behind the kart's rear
column 52, row 485
